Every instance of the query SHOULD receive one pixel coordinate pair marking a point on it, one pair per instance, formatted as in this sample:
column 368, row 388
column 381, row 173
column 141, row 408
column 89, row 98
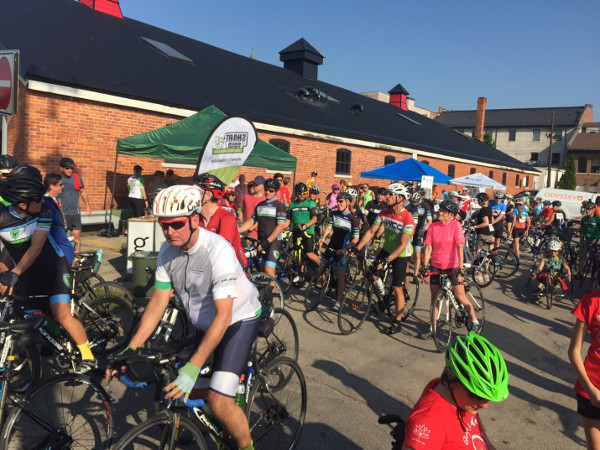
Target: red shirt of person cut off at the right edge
column 588, row 311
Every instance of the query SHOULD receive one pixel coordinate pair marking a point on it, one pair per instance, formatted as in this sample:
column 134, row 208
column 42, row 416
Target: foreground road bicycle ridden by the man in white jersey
column 265, row 394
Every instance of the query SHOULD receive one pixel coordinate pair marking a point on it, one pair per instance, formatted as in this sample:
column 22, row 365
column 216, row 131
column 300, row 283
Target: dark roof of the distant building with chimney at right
column 522, row 117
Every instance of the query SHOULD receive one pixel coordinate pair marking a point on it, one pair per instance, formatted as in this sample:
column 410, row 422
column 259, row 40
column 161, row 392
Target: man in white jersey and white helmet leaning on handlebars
column 219, row 300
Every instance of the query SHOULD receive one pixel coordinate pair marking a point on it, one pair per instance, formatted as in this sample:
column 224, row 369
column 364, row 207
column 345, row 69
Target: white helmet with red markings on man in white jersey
column 177, row 201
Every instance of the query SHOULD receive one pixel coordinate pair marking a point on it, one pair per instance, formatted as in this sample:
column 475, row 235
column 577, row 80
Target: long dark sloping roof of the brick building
column 66, row 43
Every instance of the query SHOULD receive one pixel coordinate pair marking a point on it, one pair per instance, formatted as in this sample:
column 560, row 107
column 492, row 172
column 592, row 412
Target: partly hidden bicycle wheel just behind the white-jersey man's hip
column 283, row 340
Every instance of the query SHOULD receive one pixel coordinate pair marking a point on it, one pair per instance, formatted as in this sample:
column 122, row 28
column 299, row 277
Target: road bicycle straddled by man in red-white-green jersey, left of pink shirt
column 363, row 294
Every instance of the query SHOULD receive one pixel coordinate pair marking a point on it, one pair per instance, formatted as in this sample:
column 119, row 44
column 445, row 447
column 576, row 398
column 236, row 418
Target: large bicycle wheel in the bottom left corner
column 68, row 411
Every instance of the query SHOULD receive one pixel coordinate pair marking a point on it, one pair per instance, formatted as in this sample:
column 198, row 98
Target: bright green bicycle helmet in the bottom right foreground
column 479, row 365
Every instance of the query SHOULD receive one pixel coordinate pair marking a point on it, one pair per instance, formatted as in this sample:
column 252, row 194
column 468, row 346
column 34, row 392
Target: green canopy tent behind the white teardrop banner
column 184, row 141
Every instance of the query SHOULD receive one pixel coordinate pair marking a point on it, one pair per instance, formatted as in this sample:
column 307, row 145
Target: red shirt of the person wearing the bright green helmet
column 434, row 424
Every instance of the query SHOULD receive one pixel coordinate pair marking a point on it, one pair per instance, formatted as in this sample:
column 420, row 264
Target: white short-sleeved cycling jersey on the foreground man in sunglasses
column 208, row 271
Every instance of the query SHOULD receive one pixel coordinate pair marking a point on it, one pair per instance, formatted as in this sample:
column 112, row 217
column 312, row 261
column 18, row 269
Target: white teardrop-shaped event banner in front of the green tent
column 227, row 148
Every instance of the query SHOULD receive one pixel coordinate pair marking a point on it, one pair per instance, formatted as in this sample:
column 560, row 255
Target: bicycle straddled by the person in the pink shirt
column 446, row 312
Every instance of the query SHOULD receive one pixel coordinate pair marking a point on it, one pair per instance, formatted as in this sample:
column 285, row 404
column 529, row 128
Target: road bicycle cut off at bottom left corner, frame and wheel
column 67, row 411
